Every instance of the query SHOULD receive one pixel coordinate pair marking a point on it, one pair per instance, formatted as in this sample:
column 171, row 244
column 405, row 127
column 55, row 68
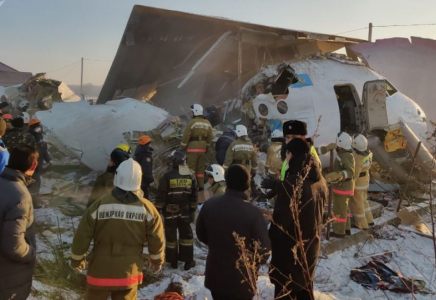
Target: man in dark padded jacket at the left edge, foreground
column 17, row 239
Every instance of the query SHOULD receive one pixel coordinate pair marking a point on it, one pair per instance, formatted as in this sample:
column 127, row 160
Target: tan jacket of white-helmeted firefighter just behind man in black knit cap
column 241, row 152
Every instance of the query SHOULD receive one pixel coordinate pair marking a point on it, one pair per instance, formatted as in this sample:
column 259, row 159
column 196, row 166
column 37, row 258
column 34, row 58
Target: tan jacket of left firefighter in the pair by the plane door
column 344, row 165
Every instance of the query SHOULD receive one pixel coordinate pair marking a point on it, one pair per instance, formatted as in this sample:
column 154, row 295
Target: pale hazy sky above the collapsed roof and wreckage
column 45, row 35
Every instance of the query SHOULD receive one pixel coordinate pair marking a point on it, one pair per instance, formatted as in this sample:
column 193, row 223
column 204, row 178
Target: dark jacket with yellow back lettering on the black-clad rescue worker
column 177, row 193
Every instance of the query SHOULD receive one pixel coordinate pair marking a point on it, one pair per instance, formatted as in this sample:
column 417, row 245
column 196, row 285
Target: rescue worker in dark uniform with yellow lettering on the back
column 177, row 200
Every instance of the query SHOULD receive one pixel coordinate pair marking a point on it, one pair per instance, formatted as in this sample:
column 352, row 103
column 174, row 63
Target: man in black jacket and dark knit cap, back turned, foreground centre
column 219, row 218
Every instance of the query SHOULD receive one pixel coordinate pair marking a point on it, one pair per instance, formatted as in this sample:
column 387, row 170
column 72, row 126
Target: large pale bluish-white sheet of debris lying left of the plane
column 90, row 133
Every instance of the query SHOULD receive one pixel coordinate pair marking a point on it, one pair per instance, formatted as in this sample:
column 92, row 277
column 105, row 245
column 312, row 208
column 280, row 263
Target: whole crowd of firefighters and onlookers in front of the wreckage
column 120, row 221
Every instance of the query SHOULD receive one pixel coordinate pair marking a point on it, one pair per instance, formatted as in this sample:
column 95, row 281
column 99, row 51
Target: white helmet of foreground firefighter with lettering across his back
column 128, row 176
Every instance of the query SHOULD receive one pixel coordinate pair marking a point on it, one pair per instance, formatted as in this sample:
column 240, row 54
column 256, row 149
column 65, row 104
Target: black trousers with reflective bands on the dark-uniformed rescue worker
column 183, row 248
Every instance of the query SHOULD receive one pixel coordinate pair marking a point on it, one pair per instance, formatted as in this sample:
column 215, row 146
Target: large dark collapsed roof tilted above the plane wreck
column 173, row 57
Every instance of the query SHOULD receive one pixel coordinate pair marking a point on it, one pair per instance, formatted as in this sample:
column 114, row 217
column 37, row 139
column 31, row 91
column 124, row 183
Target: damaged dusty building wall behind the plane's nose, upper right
column 409, row 66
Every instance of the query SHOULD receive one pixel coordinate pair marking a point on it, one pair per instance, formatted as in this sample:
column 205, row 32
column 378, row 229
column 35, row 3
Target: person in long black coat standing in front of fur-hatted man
column 305, row 184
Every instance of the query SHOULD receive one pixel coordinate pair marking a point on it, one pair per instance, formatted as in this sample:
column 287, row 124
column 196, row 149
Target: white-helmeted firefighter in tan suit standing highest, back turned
column 196, row 138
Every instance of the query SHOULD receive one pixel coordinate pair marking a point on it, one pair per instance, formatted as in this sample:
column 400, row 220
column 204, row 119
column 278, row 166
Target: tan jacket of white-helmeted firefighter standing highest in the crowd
column 198, row 135
